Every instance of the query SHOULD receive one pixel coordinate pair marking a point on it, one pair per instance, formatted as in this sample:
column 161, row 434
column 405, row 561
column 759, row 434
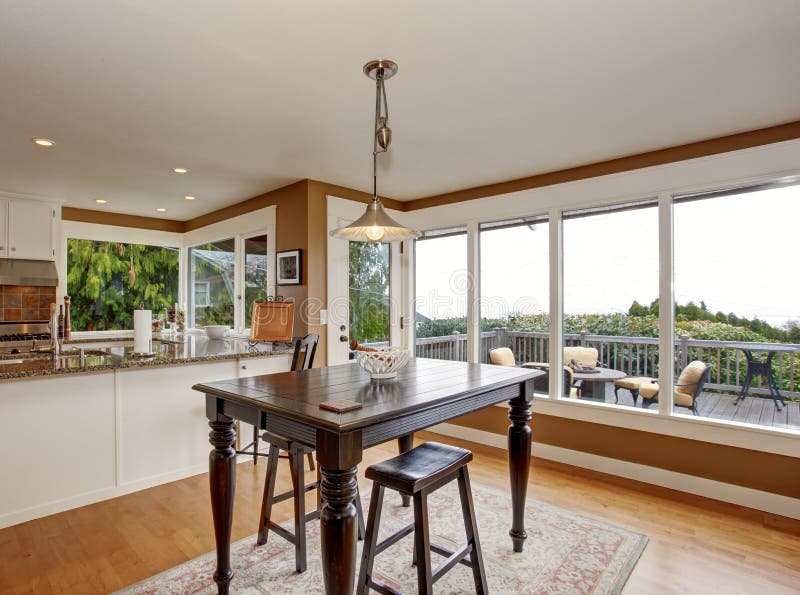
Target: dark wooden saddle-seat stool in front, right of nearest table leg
column 418, row 473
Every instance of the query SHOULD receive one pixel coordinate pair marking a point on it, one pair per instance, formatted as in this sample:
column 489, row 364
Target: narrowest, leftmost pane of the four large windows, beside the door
column 441, row 300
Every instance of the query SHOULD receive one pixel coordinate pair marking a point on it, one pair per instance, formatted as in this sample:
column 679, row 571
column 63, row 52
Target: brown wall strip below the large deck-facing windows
column 754, row 469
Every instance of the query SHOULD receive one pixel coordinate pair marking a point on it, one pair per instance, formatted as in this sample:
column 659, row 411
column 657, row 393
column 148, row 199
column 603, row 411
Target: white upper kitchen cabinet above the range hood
column 28, row 228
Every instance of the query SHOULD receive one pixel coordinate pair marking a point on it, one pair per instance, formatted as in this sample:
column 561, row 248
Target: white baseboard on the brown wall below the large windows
column 709, row 488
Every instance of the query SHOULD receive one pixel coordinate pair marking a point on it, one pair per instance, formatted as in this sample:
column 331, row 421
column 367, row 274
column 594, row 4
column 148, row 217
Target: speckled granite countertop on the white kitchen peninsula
column 88, row 355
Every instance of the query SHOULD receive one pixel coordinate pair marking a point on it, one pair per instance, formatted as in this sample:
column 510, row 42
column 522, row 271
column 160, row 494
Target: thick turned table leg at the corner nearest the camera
column 337, row 456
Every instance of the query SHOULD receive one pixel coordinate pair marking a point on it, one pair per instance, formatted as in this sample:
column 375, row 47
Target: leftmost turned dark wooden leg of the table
column 222, row 479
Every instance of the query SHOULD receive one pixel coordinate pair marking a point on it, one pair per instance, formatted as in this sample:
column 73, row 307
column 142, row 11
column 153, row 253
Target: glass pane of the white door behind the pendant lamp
column 369, row 292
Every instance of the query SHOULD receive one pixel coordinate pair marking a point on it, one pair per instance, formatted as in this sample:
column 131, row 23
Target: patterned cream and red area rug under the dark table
column 564, row 553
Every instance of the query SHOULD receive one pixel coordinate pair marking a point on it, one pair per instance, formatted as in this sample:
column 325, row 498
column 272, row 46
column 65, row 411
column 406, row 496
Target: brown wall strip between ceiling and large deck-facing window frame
column 704, row 148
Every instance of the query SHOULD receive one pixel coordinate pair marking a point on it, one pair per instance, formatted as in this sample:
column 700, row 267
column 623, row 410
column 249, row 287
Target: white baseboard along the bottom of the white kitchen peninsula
column 56, row 506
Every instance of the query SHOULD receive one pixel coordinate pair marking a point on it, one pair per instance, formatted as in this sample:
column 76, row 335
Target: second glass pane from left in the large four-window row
column 515, row 290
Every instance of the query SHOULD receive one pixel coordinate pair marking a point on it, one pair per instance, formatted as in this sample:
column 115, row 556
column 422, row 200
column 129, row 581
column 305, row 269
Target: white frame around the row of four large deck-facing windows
column 735, row 169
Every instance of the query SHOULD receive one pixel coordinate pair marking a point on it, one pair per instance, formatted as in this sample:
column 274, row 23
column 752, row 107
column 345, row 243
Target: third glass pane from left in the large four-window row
column 611, row 303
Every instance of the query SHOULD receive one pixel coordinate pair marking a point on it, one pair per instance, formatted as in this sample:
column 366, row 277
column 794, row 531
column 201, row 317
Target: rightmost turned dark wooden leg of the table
column 519, row 461
